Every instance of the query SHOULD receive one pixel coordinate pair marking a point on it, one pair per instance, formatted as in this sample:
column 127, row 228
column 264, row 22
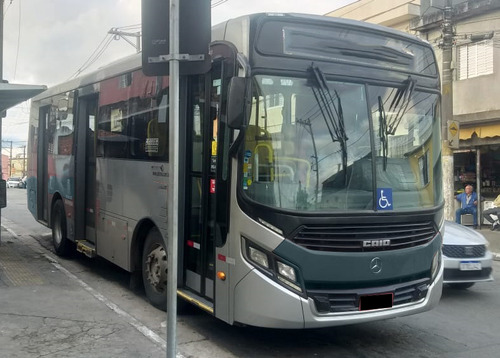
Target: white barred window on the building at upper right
column 475, row 59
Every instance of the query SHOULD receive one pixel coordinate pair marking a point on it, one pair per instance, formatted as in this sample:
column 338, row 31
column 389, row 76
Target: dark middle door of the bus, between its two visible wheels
column 85, row 170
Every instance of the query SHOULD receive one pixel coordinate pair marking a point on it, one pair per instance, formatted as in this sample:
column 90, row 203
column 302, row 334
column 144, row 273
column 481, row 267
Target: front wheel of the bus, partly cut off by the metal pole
column 155, row 269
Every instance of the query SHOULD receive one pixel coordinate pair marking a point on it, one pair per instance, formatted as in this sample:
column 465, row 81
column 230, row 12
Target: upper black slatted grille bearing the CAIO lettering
column 365, row 237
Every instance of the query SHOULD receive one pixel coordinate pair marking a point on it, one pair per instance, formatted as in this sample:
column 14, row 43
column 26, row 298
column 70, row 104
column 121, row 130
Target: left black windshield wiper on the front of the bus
column 332, row 114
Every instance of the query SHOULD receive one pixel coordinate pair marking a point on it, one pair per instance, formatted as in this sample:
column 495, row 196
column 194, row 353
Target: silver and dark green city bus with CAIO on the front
column 311, row 177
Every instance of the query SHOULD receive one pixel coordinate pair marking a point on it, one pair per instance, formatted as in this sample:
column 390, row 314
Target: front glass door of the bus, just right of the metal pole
column 203, row 180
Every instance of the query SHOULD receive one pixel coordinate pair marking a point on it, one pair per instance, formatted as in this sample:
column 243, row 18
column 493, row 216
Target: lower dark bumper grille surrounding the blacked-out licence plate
column 335, row 301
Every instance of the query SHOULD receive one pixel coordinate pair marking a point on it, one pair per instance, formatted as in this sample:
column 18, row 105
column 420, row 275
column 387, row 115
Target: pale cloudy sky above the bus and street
column 47, row 42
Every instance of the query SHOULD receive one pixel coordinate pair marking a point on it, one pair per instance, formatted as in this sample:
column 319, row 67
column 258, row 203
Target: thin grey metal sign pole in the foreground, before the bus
column 173, row 192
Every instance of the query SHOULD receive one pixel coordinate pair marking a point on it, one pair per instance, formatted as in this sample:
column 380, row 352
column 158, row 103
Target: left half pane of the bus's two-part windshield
column 293, row 156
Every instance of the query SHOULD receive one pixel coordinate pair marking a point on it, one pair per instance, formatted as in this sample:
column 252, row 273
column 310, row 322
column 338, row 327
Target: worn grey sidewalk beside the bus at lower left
column 44, row 312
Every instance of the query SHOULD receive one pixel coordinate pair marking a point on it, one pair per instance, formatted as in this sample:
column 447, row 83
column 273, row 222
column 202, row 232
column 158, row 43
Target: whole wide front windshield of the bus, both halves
column 314, row 144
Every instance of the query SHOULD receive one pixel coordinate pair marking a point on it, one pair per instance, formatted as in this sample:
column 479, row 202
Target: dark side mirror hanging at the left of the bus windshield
column 236, row 102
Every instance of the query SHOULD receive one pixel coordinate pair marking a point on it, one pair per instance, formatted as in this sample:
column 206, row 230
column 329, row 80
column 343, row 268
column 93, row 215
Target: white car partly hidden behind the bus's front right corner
column 466, row 257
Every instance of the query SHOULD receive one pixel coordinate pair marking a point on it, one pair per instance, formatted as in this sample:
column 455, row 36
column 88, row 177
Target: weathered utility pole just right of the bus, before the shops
column 447, row 111
